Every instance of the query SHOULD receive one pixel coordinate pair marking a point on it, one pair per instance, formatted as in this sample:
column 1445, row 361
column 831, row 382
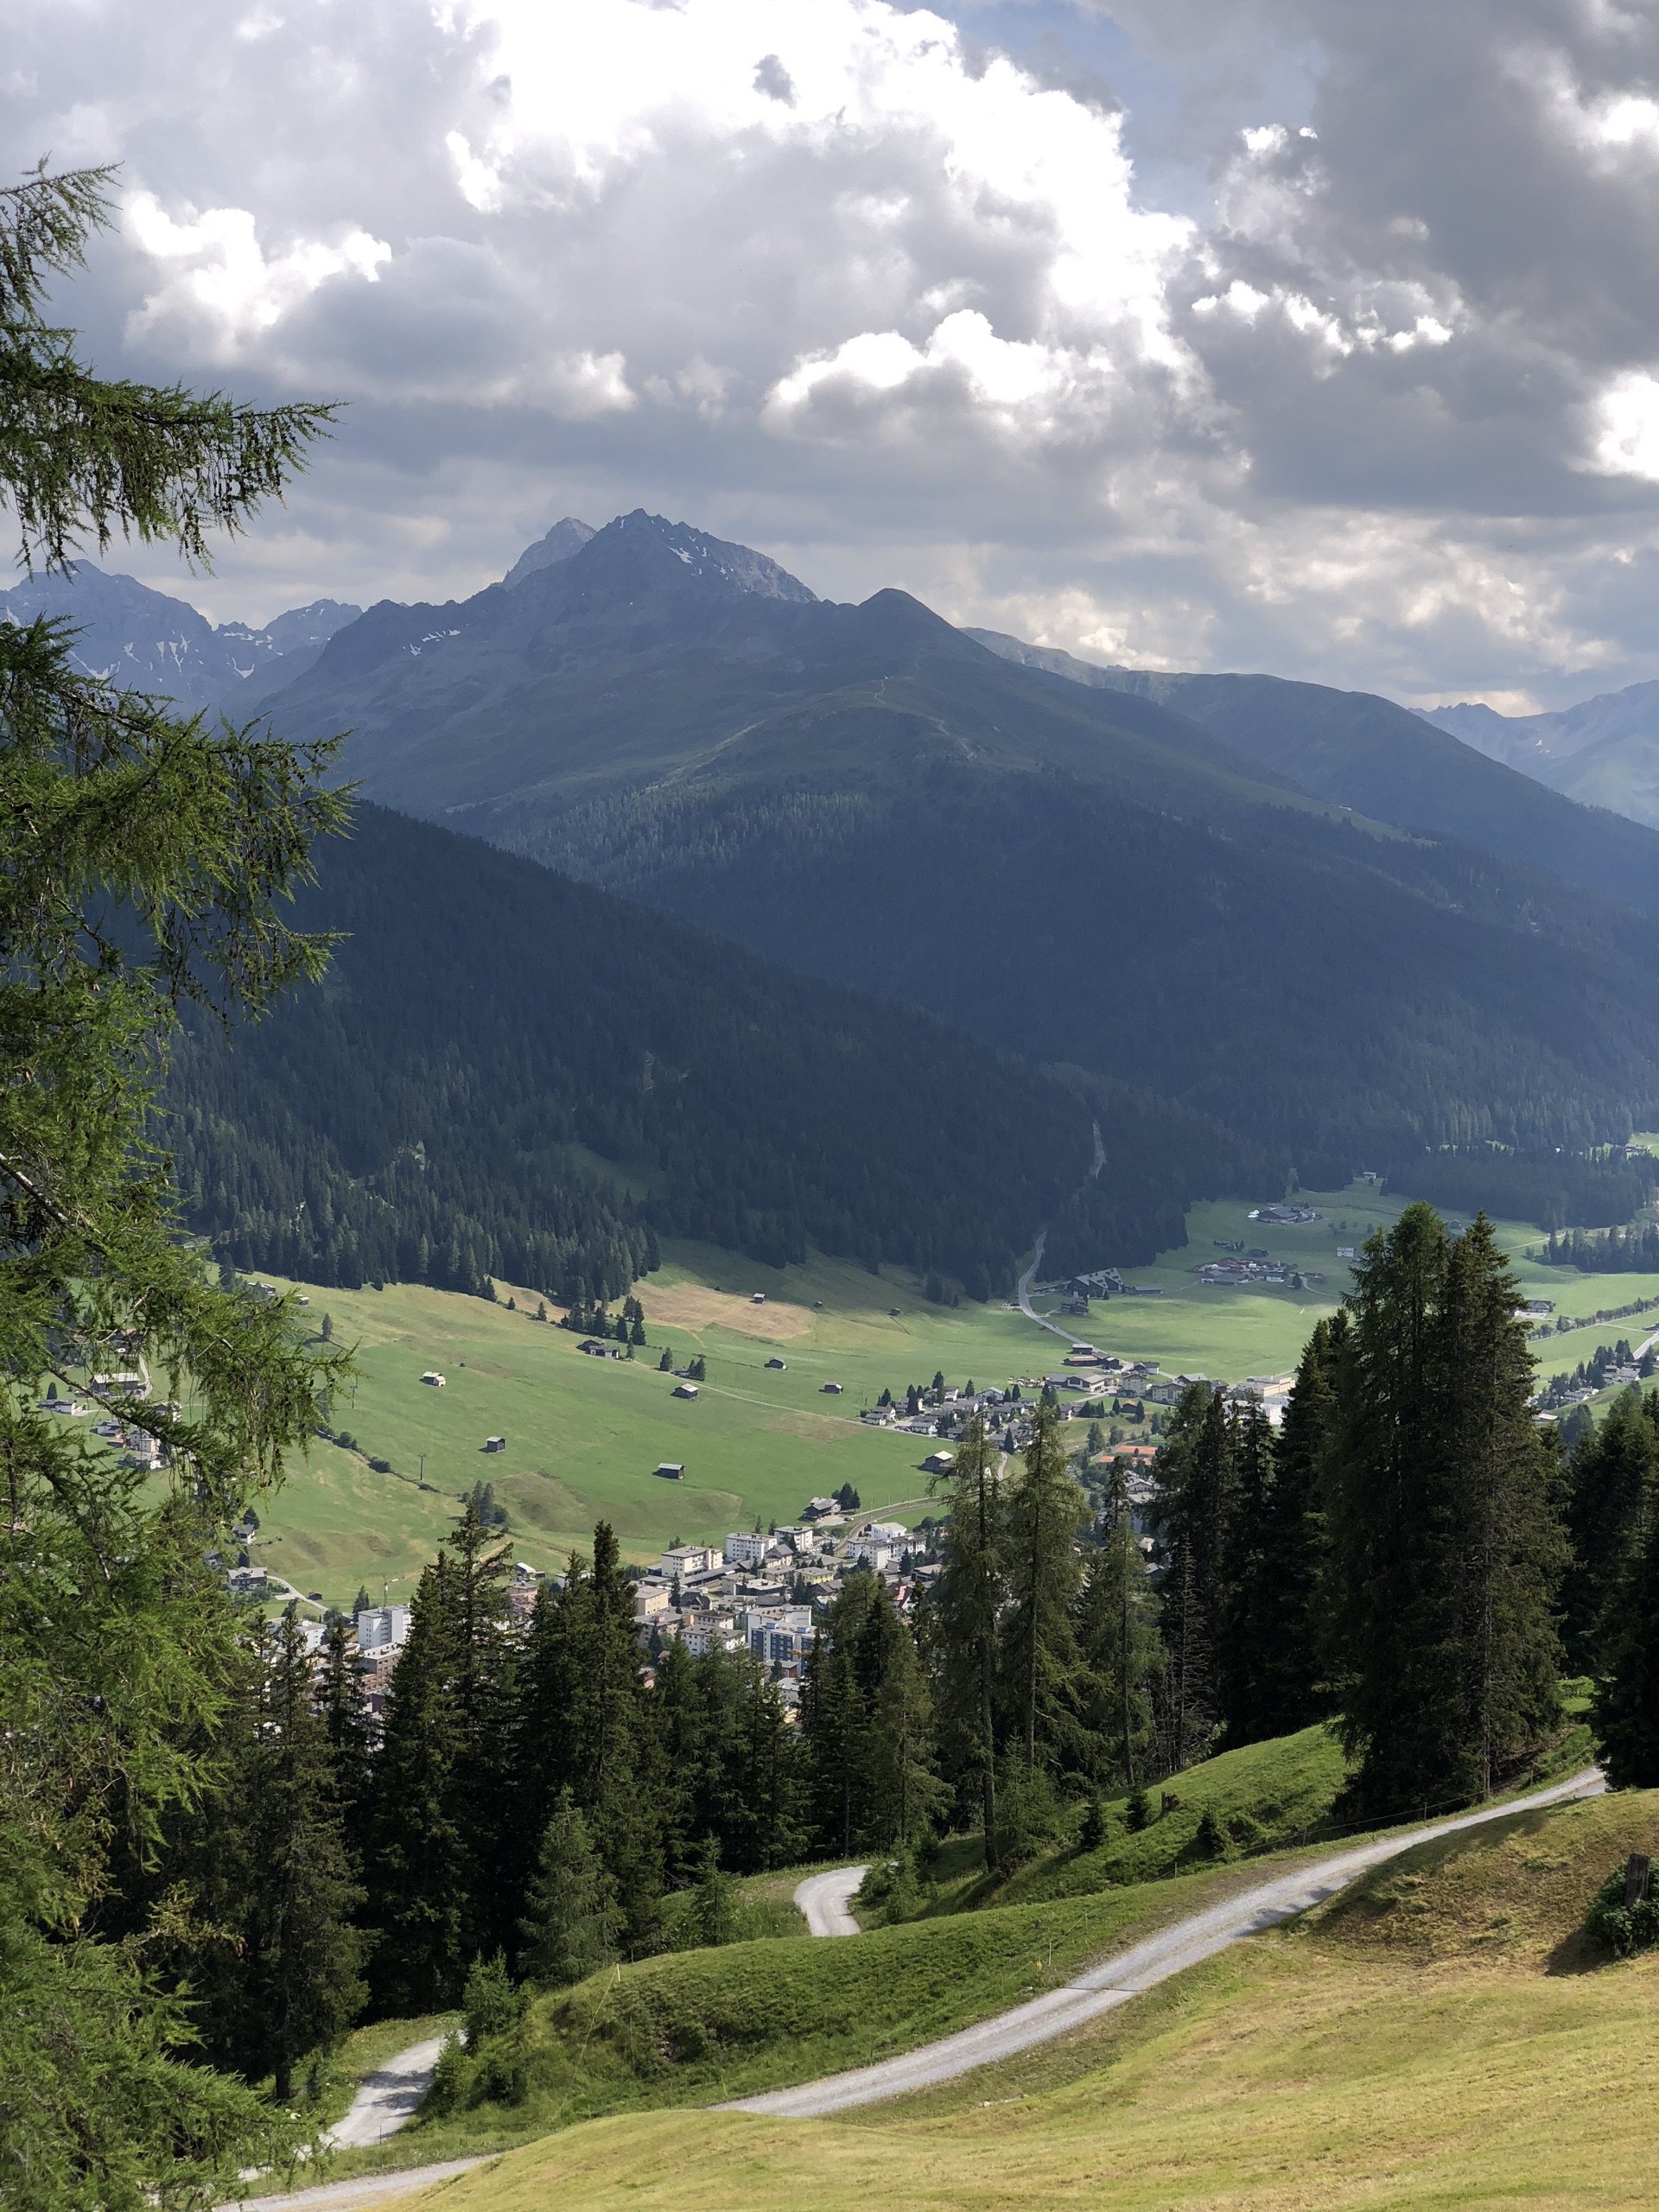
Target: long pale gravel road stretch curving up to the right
column 1125, row 1976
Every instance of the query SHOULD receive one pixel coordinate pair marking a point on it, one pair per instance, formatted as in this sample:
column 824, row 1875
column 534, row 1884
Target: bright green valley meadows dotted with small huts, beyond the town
column 585, row 1437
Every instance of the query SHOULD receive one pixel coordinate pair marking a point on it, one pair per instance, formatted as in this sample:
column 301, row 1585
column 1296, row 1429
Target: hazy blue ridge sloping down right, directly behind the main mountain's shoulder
column 1377, row 758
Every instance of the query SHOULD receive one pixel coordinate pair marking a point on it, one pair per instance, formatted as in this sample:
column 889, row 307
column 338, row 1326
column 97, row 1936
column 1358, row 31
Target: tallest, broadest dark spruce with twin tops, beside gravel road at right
column 1446, row 1523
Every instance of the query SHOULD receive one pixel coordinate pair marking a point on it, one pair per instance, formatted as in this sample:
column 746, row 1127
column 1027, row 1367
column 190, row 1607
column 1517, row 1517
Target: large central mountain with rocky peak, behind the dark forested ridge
column 1295, row 930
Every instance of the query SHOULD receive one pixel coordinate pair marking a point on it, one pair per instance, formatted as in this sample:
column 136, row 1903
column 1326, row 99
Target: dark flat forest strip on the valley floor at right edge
column 1554, row 1189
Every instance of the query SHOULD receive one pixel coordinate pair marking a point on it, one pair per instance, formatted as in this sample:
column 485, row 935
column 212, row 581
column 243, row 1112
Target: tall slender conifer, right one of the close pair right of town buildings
column 1043, row 1680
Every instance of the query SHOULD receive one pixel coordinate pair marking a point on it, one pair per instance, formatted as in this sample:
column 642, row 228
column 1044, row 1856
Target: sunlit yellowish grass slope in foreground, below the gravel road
column 1432, row 2038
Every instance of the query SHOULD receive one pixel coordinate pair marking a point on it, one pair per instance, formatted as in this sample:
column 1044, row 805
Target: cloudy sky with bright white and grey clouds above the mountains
column 1297, row 335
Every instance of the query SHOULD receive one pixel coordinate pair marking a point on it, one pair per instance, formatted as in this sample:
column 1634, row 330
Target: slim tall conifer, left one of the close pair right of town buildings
column 966, row 1609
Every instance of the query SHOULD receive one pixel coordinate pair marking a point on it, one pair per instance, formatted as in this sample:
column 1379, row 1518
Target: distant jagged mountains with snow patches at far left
column 152, row 643
